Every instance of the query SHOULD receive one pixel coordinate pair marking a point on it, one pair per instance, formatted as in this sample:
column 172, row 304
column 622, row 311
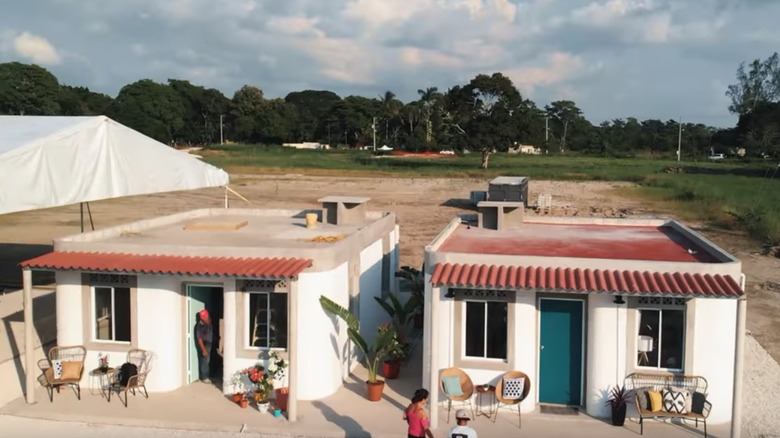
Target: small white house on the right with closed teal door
column 579, row 304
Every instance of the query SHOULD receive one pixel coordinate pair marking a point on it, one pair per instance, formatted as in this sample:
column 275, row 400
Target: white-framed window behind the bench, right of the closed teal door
column 661, row 333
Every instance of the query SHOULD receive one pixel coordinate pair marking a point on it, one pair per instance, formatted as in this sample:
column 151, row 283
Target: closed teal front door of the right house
column 560, row 351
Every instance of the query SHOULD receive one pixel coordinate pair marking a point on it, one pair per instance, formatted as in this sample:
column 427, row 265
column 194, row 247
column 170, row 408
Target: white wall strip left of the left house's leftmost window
column 70, row 328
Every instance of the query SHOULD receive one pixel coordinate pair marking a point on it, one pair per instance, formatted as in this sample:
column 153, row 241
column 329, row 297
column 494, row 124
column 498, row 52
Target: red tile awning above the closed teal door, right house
column 584, row 280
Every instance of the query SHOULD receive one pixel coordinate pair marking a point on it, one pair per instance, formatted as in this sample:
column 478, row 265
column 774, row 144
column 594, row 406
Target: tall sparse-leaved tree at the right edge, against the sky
column 759, row 85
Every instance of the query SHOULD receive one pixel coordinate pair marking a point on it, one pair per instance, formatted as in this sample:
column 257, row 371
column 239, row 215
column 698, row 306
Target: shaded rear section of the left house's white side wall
column 371, row 313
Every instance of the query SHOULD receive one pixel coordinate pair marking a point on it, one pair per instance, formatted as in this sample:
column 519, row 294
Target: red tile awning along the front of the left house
column 168, row 264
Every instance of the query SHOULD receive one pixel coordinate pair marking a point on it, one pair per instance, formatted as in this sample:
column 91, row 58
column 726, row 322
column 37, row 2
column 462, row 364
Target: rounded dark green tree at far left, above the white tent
column 28, row 89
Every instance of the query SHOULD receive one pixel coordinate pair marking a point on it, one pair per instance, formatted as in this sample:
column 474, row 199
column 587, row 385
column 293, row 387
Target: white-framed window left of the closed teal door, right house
column 485, row 324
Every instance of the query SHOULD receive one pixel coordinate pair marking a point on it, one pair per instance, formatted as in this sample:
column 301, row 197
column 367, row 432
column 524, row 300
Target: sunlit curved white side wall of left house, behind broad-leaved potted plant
column 322, row 338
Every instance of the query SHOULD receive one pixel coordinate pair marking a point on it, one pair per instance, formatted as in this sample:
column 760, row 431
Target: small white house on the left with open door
column 259, row 273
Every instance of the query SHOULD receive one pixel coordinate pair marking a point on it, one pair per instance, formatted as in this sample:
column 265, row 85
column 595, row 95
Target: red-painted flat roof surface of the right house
column 576, row 240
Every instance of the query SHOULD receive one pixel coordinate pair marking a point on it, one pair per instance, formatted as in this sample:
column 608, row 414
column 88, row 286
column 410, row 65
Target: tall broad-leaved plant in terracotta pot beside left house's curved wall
column 373, row 355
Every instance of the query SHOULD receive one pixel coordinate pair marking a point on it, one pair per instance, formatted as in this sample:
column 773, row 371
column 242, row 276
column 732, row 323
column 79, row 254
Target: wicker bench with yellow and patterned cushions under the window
column 697, row 407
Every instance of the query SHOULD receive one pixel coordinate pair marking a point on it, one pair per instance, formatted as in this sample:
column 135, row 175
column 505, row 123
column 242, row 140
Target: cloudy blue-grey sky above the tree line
column 664, row 59
